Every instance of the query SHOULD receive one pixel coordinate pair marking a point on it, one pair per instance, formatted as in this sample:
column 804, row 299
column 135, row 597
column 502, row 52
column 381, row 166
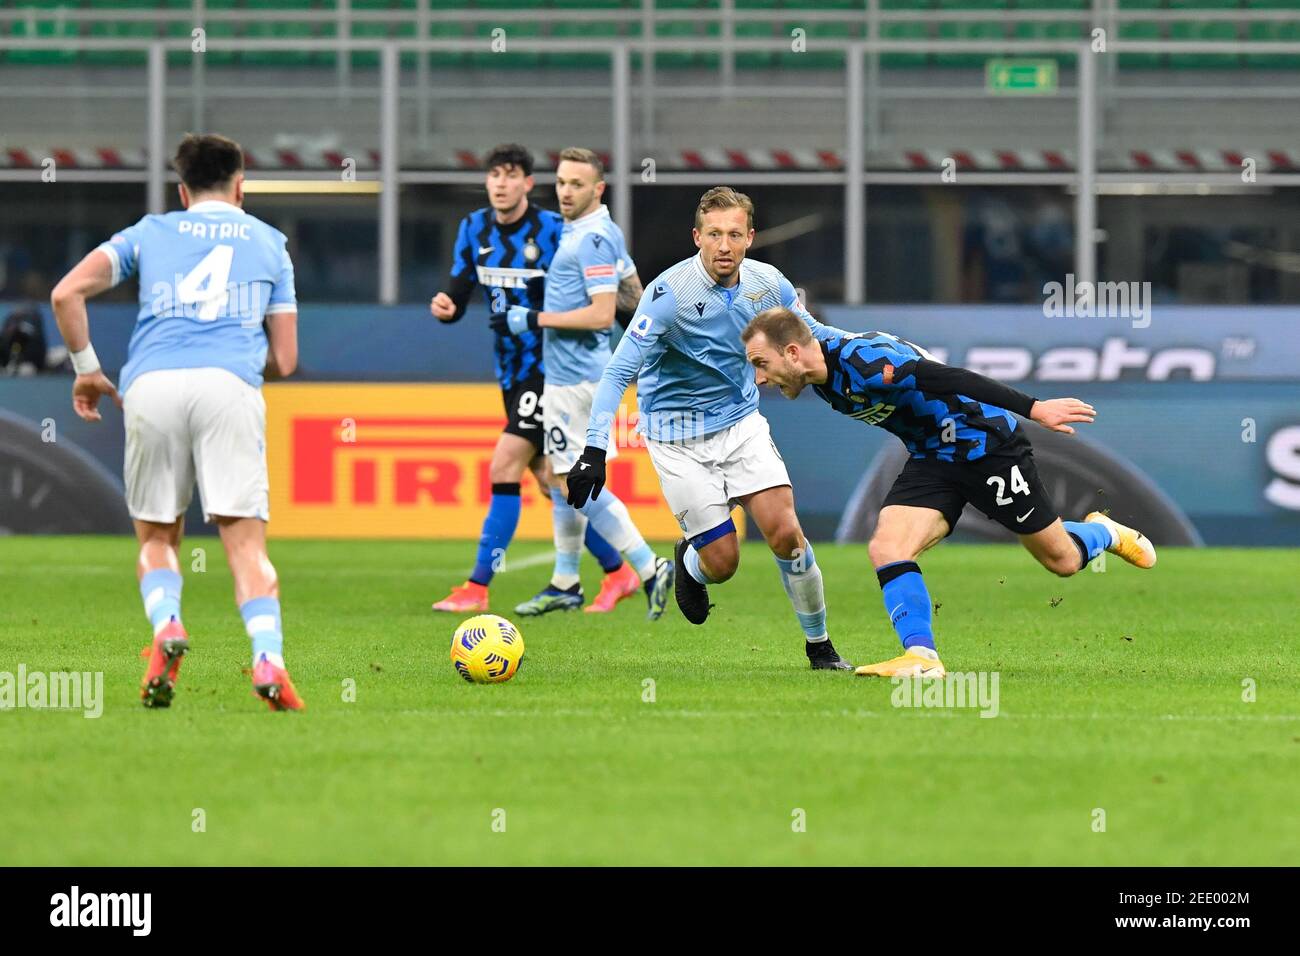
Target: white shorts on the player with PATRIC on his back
column 196, row 423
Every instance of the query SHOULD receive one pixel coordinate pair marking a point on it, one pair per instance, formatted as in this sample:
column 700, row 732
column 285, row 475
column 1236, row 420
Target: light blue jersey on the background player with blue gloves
column 591, row 259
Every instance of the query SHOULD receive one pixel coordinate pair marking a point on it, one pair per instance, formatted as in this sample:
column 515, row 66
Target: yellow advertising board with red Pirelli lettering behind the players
column 411, row 462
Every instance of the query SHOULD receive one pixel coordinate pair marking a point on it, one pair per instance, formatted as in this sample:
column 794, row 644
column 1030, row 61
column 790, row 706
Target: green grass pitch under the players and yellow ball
column 1126, row 697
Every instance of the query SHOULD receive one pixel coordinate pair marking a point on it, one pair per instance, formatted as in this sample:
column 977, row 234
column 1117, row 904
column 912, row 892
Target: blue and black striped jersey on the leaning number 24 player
column 889, row 382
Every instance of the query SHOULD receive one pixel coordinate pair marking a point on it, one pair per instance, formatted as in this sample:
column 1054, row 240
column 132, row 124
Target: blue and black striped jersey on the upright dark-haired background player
column 510, row 263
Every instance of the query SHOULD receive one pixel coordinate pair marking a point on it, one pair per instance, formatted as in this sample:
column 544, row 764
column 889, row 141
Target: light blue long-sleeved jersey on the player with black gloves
column 686, row 344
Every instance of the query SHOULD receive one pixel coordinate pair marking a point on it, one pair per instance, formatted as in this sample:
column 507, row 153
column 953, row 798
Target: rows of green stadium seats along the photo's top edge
column 837, row 20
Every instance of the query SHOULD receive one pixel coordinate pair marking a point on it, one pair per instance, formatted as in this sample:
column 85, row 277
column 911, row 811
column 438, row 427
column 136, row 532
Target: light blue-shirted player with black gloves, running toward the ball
column 699, row 408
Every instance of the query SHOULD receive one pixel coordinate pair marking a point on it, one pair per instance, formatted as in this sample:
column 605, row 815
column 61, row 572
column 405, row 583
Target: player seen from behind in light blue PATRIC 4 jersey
column 210, row 276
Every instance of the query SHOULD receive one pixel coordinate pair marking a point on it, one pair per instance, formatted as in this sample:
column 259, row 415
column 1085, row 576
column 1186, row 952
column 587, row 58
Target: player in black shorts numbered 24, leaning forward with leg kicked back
column 967, row 448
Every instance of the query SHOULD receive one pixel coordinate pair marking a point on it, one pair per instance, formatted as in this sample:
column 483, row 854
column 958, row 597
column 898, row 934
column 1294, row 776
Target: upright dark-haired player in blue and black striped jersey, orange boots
column 506, row 248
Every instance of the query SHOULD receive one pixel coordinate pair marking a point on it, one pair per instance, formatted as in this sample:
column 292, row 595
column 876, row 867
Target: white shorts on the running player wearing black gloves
column 703, row 478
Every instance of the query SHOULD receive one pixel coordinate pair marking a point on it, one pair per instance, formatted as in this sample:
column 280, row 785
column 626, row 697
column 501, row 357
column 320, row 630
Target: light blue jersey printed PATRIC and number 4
column 209, row 278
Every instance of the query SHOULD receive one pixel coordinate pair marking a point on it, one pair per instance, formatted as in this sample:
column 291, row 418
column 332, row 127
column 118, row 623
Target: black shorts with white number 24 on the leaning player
column 1004, row 486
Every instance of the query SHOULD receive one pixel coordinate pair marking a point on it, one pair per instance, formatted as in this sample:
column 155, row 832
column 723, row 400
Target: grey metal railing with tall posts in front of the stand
column 855, row 176
